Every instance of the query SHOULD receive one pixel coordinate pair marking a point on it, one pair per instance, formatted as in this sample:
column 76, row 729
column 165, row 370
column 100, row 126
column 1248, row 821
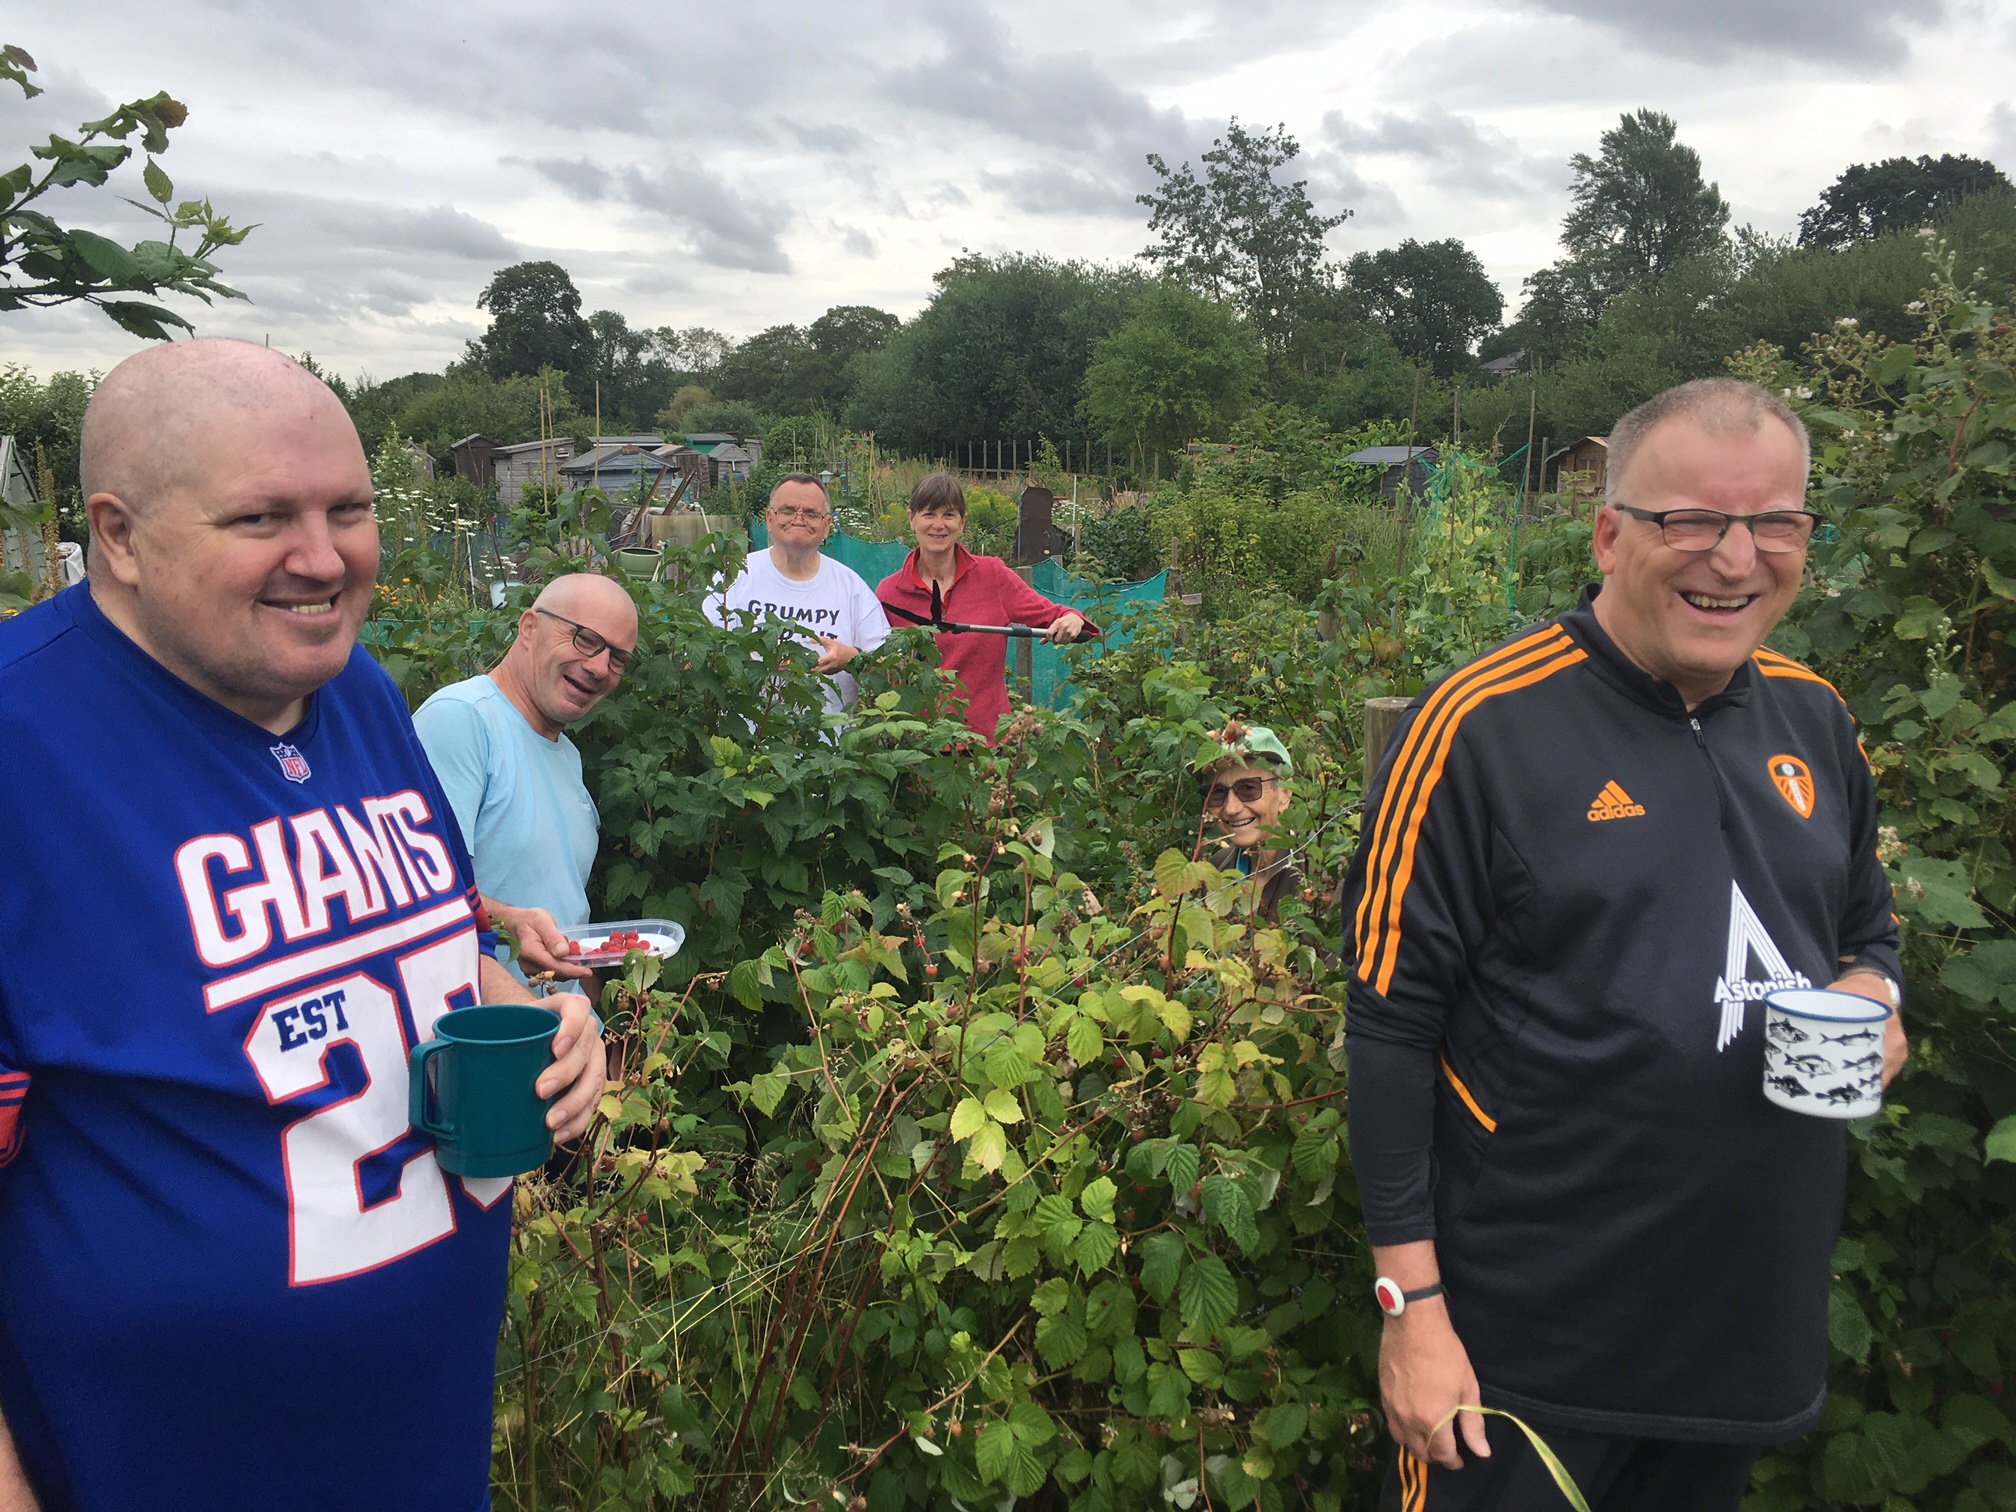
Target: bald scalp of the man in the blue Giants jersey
column 148, row 424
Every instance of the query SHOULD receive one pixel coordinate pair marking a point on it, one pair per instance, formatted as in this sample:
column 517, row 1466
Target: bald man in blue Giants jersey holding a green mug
column 233, row 900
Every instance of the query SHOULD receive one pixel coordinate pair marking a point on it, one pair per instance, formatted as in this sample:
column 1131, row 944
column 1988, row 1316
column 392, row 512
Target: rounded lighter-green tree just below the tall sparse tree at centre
column 1180, row 370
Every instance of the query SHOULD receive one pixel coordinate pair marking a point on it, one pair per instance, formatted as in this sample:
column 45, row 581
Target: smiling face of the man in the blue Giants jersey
column 251, row 570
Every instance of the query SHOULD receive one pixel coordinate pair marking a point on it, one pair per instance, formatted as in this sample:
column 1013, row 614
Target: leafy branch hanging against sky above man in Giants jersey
column 43, row 263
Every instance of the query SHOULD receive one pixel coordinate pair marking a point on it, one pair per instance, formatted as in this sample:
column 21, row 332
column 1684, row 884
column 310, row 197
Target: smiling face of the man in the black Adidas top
column 1694, row 618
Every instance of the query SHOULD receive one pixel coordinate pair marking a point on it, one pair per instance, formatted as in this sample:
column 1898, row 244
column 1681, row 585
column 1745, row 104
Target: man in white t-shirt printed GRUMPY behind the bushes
column 791, row 580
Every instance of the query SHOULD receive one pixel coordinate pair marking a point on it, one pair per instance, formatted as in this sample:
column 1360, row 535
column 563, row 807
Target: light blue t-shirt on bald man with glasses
column 519, row 797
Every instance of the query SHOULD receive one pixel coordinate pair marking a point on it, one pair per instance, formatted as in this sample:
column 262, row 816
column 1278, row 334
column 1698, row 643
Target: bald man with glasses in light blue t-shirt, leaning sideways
column 511, row 773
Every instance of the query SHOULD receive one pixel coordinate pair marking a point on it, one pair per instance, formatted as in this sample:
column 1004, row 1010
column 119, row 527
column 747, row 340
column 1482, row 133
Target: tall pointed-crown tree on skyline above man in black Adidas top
column 1642, row 203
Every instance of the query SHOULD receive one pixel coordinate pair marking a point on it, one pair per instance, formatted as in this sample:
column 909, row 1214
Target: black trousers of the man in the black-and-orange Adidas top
column 1616, row 1475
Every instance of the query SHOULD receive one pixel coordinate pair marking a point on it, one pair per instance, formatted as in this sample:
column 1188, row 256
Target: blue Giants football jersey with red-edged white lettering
column 231, row 1275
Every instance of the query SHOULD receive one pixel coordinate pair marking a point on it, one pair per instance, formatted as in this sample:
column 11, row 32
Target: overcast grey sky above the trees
column 745, row 166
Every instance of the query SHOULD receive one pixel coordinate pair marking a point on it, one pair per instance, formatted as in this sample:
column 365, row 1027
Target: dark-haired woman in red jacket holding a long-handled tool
column 973, row 592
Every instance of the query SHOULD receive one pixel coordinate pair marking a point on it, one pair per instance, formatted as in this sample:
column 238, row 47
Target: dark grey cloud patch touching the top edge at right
column 1830, row 31
